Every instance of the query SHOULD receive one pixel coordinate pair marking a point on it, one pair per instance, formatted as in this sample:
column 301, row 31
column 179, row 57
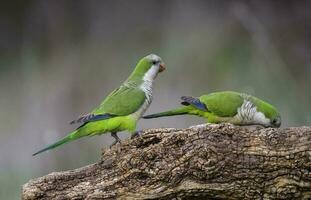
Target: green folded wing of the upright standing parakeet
column 122, row 101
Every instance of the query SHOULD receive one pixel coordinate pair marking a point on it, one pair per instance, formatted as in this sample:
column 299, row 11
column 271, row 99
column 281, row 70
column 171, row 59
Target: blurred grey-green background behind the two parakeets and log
column 59, row 59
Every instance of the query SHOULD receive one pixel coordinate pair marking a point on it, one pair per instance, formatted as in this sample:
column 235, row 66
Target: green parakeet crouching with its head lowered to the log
column 227, row 107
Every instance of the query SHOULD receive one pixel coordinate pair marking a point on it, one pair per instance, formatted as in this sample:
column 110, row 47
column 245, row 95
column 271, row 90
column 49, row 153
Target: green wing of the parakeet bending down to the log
column 223, row 104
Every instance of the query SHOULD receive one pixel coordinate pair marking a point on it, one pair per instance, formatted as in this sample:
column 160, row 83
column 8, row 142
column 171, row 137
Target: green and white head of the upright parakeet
column 148, row 68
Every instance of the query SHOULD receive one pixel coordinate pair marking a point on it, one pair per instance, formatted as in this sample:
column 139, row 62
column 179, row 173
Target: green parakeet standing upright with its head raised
column 122, row 108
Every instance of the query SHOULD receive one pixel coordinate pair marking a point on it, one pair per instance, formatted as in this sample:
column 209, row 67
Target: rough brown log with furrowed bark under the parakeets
column 214, row 161
